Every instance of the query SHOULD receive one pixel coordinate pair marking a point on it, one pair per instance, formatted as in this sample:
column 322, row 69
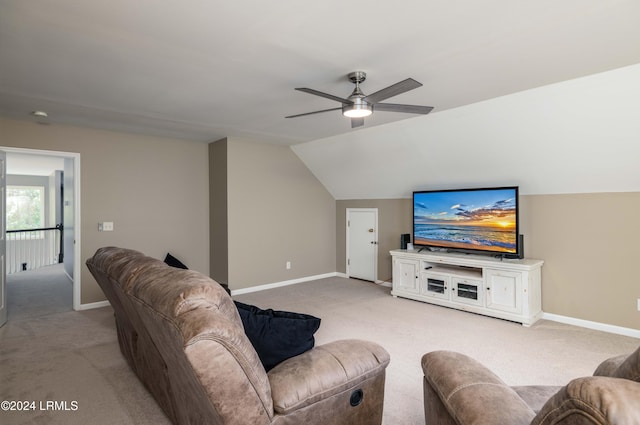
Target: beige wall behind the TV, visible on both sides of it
column 587, row 241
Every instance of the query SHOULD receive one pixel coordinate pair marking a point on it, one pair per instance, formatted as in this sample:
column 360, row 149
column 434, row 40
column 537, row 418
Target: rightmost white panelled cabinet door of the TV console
column 503, row 290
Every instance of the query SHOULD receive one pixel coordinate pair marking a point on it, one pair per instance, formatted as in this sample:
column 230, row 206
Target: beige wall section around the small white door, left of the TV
column 394, row 219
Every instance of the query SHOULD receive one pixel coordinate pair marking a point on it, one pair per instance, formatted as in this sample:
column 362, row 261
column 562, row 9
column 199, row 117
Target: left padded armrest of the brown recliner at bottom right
column 472, row 393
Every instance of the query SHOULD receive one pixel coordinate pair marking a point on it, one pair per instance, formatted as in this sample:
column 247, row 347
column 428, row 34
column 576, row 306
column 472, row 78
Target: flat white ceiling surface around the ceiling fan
column 203, row 70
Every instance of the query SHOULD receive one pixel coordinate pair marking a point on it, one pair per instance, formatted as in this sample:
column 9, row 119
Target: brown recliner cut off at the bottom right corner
column 459, row 390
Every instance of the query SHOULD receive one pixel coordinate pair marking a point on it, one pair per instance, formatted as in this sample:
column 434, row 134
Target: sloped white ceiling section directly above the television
column 577, row 136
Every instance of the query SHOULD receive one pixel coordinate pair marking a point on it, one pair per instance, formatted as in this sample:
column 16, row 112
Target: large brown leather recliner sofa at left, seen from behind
column 182, row 335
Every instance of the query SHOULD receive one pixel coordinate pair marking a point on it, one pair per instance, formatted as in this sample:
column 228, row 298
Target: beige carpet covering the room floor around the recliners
column 74, row 356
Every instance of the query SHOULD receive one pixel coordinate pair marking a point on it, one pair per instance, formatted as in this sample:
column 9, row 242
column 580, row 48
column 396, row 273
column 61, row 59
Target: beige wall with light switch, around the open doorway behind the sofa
column 155, row 191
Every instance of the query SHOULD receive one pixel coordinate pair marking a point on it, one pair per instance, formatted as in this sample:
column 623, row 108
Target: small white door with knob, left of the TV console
column 362, row 243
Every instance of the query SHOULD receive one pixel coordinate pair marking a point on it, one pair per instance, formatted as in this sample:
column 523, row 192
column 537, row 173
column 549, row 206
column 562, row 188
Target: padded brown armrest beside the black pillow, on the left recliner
column 324, row 371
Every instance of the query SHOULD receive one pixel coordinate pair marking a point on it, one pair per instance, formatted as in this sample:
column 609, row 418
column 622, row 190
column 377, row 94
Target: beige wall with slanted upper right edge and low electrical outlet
column 277, row 212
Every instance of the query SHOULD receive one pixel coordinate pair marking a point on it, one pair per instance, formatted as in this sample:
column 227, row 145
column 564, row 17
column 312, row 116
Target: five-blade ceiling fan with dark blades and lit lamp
column 358, row 105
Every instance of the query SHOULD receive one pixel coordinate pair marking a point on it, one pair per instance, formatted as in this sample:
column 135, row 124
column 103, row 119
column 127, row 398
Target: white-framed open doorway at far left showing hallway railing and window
column 54, row 286
